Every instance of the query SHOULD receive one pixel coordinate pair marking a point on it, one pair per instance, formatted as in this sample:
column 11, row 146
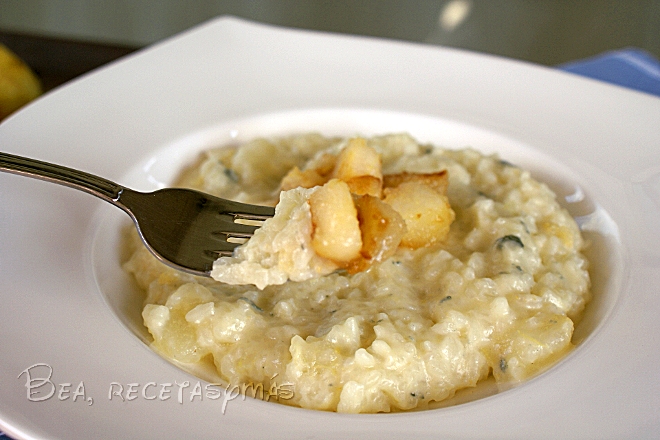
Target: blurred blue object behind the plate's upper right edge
column 631, row 68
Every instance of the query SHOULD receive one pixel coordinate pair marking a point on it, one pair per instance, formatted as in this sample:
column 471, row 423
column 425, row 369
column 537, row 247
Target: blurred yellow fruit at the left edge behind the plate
column 18, row 85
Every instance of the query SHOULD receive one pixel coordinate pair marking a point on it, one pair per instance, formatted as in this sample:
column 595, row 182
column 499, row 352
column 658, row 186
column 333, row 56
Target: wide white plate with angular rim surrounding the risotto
column 66, row 304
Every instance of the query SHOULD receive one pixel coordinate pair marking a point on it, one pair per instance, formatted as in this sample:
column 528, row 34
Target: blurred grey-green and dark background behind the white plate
column 549, row 32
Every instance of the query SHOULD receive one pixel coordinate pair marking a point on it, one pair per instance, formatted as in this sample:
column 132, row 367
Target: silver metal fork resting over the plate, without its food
column 185, row 229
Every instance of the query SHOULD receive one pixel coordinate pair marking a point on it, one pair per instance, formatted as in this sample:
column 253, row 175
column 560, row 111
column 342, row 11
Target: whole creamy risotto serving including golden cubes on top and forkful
column 471, row 270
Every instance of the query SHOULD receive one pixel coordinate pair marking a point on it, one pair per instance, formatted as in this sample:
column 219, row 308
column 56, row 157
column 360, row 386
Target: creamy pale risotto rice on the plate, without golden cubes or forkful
column 499, row 296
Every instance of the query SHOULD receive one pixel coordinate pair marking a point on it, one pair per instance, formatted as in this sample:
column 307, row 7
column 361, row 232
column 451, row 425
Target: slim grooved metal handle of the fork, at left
column 86, row 182
